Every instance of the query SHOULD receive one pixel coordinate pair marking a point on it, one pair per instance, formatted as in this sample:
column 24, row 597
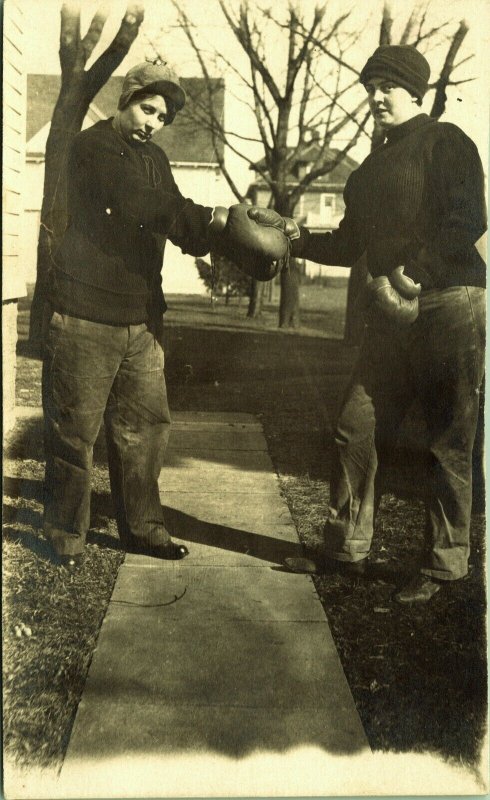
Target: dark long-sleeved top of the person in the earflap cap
column 123, row 203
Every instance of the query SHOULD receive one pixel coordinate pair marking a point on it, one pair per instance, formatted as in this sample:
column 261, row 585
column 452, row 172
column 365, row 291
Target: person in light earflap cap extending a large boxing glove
column 103, row 351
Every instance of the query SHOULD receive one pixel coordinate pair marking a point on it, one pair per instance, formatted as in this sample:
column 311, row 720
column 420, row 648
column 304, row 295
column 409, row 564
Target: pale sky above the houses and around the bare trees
column 467, row 105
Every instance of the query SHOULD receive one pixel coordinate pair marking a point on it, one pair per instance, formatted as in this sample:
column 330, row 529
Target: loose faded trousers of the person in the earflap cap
column 94, row 372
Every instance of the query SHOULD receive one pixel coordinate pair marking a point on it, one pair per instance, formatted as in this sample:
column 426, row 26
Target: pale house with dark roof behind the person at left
column 187, row 144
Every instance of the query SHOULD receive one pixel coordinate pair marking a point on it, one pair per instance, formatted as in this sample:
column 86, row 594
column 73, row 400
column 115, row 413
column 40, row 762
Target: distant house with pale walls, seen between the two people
column 321, row 207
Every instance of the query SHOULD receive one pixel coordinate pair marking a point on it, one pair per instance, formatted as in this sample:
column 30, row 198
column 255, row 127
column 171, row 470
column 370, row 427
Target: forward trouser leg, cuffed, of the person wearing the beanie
column 376, row 400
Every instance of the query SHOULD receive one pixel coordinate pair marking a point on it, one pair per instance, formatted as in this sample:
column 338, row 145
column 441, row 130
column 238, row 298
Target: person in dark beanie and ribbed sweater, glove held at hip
column 415, row 204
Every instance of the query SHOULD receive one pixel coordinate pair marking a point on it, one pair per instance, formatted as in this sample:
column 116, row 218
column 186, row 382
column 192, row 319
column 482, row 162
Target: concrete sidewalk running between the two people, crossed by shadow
column 222, row 660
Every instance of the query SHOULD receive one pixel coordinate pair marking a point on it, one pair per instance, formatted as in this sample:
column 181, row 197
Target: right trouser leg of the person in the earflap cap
column 137, row 424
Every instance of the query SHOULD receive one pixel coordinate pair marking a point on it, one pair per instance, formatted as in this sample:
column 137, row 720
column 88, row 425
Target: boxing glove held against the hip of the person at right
column 394, row 297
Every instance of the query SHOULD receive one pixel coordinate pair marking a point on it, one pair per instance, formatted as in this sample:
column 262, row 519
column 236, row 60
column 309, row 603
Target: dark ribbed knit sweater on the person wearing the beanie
column 418, row 201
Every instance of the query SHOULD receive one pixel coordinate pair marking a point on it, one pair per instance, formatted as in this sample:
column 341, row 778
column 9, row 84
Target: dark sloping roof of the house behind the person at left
column 184, row 141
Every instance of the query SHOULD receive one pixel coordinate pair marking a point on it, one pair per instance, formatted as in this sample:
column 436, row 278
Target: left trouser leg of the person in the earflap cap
column 81, row 359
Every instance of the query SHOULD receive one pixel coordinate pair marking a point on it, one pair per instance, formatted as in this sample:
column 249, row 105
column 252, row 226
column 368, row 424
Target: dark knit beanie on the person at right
column 401, row 64
